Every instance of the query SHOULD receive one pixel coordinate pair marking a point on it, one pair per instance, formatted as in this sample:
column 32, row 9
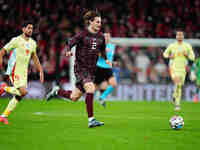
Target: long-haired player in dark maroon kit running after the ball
column 89, row 43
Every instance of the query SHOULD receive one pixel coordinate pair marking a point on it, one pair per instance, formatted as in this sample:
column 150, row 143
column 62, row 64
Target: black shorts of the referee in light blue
column 102, row 74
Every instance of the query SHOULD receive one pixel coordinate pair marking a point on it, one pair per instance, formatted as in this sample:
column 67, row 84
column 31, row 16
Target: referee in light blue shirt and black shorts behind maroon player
column 104, row 77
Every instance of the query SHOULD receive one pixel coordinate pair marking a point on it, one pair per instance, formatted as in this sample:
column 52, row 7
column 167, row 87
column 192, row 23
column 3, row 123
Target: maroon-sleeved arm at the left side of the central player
column 71, row 43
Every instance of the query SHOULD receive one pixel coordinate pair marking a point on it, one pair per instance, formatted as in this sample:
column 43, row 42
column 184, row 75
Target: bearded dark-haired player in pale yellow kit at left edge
column 20, row 49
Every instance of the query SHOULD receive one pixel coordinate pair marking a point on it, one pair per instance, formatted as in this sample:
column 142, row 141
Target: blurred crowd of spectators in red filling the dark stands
column 57, row 21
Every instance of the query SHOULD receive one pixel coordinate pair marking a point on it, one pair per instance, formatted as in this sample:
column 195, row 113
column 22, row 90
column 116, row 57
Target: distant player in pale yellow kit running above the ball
column 179, row 53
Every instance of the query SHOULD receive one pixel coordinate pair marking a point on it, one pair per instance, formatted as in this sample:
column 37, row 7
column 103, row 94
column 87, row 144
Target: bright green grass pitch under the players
column 61, row 125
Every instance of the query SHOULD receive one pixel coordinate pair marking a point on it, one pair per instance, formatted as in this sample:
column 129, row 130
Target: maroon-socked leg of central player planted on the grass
column 90, row 89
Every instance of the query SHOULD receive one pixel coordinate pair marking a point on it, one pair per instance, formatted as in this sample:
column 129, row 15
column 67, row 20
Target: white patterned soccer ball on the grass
column 176, row 122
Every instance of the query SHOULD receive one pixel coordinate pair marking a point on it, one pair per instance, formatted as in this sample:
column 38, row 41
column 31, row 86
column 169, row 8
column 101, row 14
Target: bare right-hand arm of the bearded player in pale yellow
column 38, row 66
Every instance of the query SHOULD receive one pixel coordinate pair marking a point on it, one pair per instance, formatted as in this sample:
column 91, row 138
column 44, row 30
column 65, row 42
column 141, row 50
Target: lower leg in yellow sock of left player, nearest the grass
column 12, row 104
